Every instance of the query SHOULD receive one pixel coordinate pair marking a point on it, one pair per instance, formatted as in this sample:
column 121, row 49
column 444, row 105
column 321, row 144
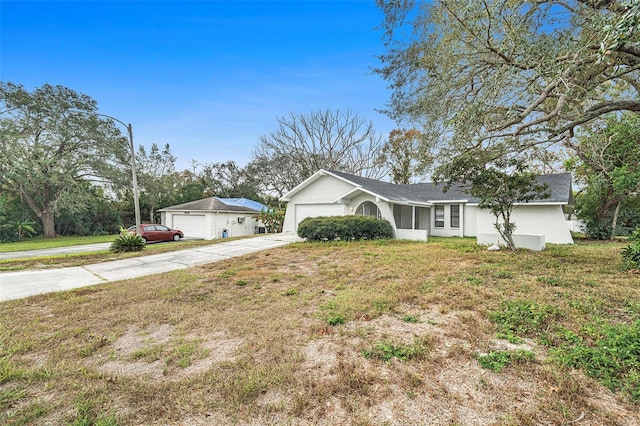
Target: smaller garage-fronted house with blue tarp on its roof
column 209, row 218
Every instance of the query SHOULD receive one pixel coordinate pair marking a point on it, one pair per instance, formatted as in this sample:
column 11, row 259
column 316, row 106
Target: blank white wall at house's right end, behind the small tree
column 547, row 220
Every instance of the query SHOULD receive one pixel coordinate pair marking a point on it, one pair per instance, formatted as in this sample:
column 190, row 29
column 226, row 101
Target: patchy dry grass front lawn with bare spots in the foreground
column 368, row 333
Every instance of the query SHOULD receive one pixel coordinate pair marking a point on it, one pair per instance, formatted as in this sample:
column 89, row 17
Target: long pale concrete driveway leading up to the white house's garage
column 17, row 285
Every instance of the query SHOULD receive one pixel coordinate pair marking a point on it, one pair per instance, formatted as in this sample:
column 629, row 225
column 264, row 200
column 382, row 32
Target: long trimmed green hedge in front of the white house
column 344, row 228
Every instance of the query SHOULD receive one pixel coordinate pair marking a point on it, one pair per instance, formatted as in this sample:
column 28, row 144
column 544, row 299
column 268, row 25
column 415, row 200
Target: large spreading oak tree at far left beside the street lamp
column 52, row 142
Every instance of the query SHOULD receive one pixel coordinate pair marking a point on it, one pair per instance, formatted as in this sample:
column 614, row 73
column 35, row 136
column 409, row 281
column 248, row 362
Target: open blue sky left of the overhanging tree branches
column 207, row 77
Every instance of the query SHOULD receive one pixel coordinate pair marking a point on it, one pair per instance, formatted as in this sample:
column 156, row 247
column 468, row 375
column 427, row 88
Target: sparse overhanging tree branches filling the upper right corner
column 513, row 72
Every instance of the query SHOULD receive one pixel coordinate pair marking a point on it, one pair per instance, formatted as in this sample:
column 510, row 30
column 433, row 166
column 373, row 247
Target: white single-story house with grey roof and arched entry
column 418, row 210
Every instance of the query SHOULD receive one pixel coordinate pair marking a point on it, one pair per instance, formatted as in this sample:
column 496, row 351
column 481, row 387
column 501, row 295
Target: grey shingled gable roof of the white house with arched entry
column 559, row 186
